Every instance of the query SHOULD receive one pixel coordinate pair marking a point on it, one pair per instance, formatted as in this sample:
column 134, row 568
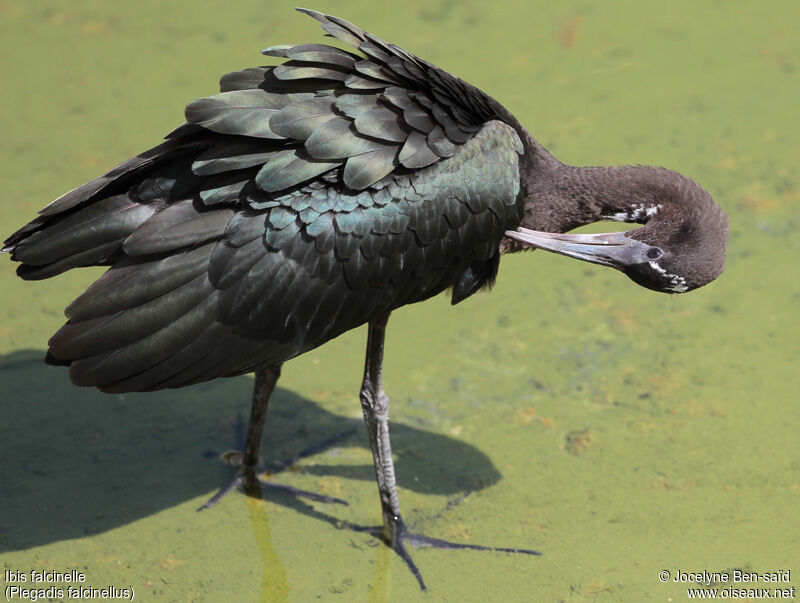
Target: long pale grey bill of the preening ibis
column 612, row 249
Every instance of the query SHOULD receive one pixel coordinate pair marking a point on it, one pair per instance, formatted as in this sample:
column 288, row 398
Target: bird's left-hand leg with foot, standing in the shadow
column 248, row 459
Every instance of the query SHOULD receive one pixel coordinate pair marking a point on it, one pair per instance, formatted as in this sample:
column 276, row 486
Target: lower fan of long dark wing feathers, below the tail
column 148, row 324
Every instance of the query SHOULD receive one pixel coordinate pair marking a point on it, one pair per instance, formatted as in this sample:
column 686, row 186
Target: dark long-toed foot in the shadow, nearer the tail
column 249, row 476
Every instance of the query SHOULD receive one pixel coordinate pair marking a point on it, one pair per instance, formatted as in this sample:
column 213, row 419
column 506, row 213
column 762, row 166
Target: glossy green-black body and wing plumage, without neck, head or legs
column 300, row 202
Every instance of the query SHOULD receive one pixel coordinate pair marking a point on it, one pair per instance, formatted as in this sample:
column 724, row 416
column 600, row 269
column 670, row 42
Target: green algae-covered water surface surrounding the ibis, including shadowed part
column 621, row 432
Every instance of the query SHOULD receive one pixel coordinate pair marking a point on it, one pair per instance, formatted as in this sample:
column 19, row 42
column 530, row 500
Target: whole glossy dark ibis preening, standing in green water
column 312, row 197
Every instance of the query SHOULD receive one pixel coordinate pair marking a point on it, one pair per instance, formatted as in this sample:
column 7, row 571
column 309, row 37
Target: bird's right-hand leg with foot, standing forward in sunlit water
column 375, row 405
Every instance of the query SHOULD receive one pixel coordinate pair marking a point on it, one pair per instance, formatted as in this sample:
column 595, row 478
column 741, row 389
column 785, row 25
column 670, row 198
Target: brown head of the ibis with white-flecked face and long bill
column 680, row 247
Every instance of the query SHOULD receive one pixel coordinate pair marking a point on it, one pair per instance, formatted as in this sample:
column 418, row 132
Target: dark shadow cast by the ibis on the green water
column 77, row 462
